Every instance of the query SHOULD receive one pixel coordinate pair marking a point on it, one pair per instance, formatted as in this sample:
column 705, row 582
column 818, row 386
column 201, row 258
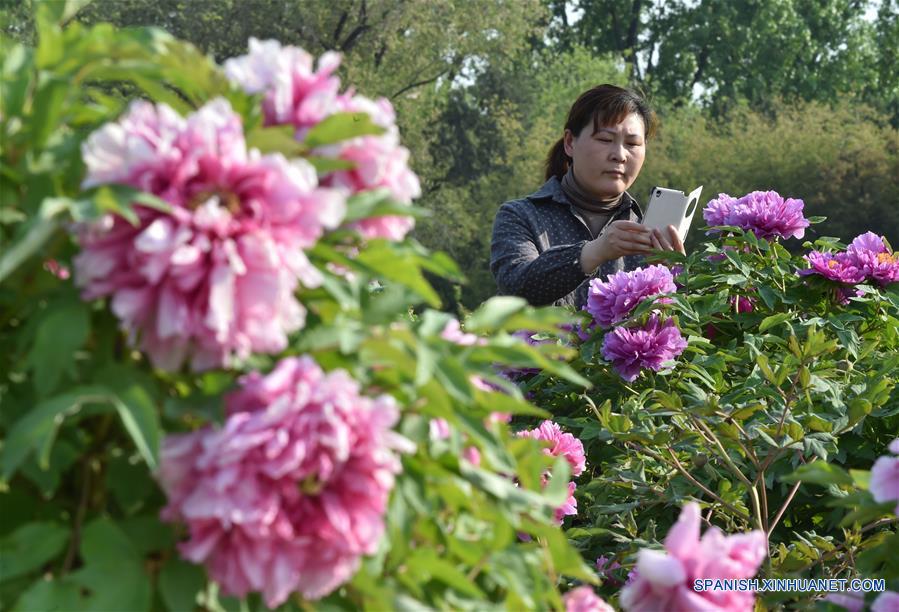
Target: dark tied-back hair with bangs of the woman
column 604, row 105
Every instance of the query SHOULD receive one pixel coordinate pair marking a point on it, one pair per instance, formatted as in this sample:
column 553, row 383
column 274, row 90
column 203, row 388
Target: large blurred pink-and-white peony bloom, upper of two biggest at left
column 212, row 279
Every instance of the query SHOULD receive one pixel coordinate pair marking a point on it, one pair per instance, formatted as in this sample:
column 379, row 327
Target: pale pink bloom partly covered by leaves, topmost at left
column 297, row 95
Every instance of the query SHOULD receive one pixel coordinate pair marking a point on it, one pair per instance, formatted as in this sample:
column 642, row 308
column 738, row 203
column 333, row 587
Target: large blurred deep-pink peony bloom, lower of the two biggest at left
column 291, row 491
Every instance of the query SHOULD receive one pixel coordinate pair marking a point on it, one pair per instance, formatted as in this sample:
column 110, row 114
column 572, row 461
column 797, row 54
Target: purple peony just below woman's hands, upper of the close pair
column 612, row 301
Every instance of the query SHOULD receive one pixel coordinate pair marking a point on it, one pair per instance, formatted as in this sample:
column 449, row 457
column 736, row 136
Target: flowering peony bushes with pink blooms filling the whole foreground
column 228, row 385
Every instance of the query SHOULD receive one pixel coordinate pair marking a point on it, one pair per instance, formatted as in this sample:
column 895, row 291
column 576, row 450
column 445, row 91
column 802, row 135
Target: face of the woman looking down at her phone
column 607, row 163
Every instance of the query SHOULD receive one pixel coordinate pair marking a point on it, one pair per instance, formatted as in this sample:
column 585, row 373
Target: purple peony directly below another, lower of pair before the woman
column 630, row 349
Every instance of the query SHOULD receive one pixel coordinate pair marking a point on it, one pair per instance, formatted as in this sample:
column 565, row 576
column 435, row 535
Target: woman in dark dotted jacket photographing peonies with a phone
column 582, row 223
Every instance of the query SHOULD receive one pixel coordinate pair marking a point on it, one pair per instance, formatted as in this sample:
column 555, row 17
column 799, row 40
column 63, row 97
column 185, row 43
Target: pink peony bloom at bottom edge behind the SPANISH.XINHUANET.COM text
column 664, row 581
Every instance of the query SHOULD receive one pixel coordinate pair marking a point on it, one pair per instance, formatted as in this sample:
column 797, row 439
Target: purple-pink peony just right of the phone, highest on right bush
column 765, row 213
